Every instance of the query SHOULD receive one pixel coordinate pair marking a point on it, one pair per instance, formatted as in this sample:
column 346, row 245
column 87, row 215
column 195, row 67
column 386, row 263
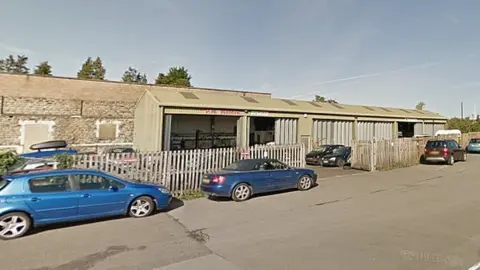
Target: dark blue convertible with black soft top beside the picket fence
column 241, row 179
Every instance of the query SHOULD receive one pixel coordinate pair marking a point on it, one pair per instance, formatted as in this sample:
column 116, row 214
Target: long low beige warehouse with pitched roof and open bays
column 174, row 119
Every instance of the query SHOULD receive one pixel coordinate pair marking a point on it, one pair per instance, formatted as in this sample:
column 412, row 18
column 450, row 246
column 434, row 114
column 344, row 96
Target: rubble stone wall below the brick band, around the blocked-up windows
column 74, row 120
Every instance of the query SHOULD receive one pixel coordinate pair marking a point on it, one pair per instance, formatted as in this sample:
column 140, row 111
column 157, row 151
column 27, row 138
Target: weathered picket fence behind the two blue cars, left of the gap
column 183, row 170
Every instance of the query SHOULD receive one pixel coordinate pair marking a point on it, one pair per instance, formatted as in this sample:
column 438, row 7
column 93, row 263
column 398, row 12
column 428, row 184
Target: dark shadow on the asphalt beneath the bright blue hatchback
column 174, row 204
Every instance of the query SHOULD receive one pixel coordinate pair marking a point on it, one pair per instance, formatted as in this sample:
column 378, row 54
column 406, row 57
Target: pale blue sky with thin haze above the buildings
column 372, row 52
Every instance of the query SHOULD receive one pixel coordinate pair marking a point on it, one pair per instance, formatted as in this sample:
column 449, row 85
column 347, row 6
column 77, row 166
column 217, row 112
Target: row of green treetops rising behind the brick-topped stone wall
column 93, row 69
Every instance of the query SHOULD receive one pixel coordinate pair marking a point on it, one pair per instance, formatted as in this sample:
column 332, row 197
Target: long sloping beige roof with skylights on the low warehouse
column 237, row 102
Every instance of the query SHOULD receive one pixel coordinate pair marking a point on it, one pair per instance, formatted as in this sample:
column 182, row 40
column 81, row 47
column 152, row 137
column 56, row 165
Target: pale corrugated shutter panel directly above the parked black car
column 332, row 132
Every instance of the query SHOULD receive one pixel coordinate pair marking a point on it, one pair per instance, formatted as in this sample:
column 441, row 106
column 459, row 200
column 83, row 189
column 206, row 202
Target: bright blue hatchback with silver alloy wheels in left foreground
column 38, row 198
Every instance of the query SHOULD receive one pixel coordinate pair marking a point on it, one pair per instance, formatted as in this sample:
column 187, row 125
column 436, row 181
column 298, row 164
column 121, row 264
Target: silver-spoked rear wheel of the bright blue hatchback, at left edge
column 14, row 225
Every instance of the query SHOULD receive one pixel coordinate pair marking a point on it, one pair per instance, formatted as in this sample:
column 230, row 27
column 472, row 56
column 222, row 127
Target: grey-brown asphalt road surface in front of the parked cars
column 424, row 217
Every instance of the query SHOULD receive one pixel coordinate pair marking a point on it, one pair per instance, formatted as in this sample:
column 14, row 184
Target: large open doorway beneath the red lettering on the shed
column 200, row 132
